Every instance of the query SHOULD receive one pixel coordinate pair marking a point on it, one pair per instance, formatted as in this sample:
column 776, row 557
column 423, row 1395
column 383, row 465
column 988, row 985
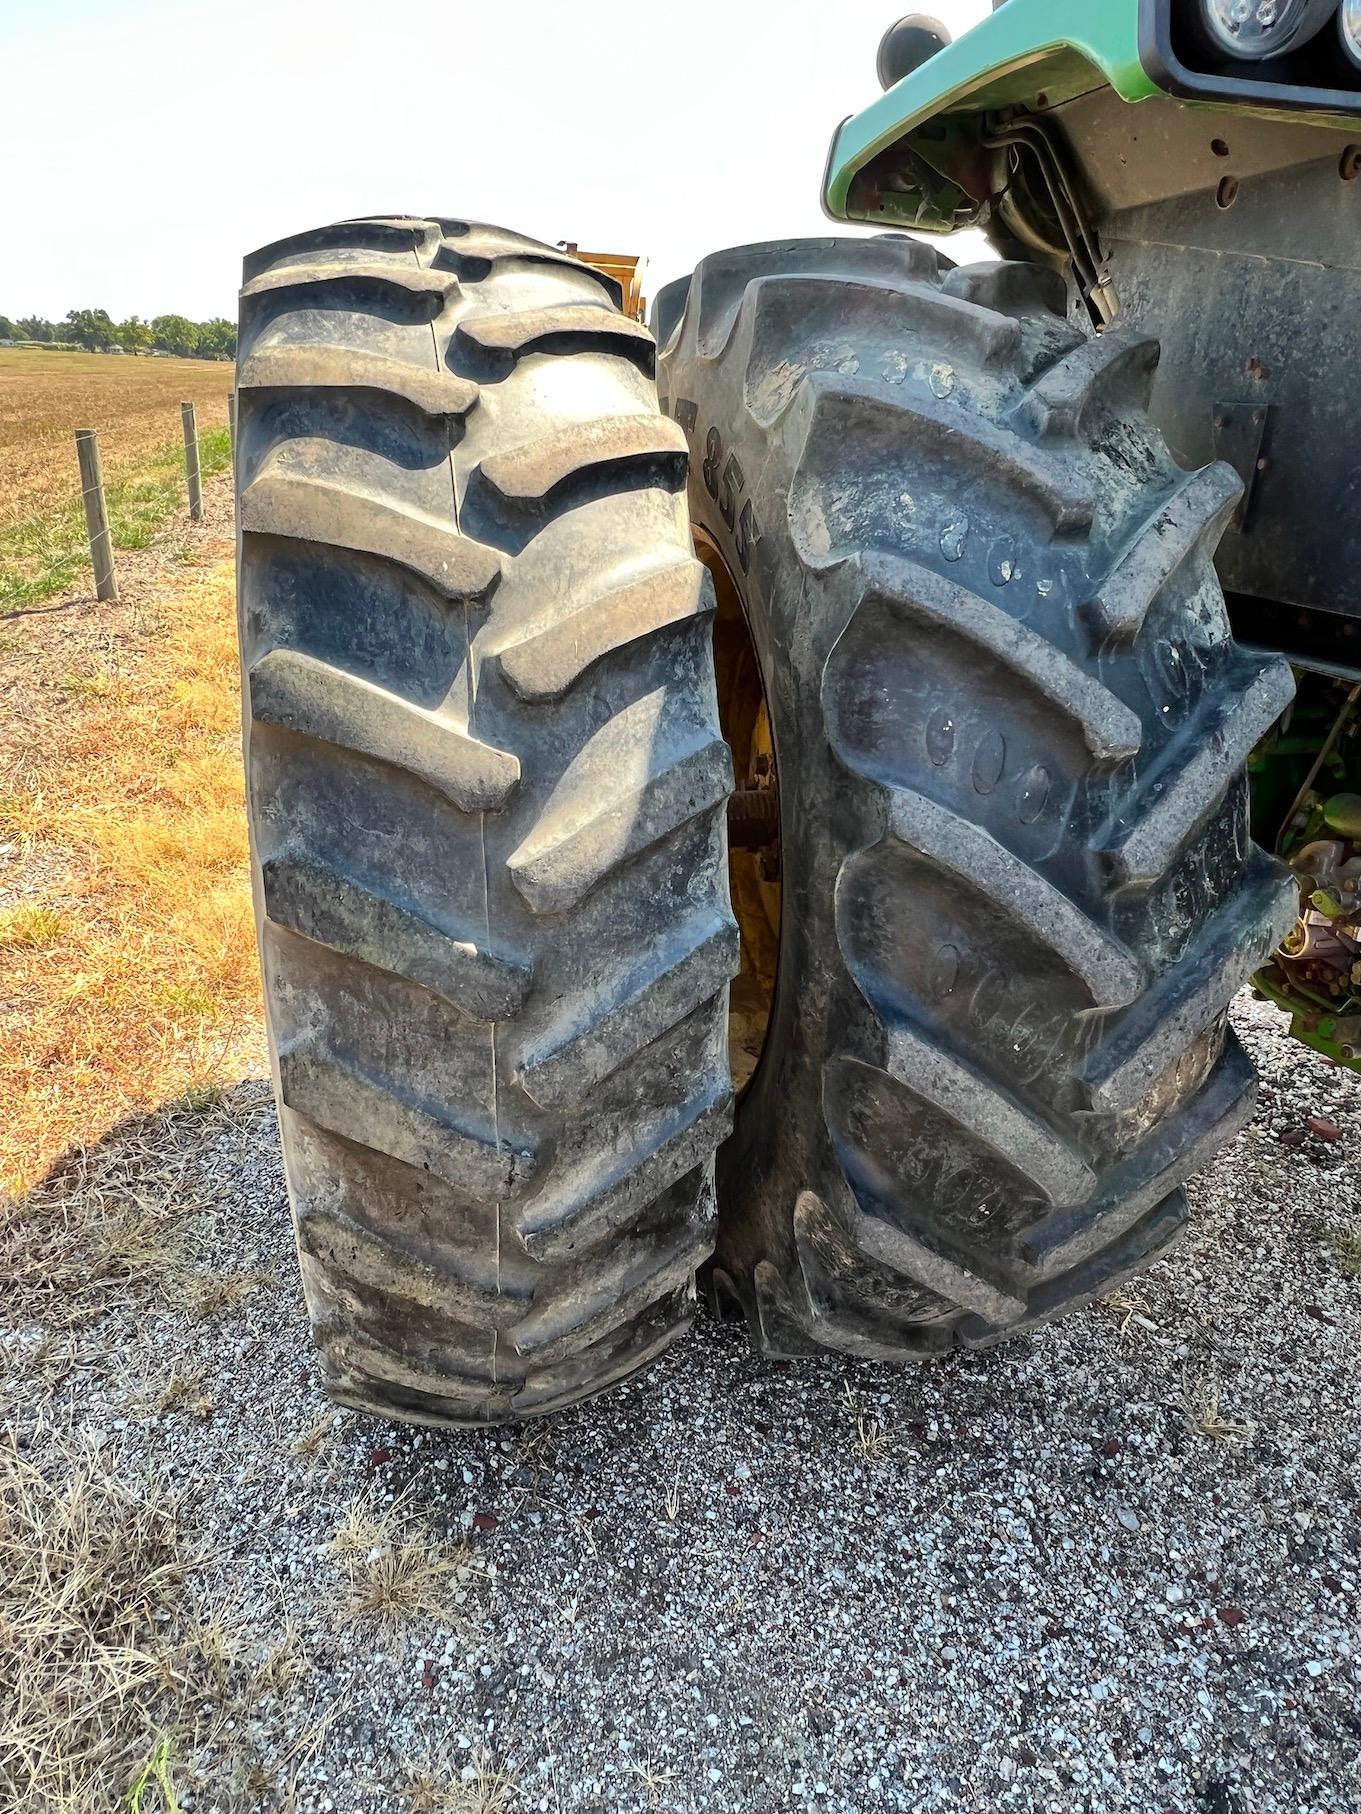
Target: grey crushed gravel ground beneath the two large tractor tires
column 1111, row 1566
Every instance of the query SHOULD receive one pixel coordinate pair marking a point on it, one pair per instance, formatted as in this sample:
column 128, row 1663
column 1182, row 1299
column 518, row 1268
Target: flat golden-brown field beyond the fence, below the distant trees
column 135, row 404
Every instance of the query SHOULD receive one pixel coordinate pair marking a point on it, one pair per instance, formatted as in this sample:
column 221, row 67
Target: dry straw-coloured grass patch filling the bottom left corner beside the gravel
column 122, row 1686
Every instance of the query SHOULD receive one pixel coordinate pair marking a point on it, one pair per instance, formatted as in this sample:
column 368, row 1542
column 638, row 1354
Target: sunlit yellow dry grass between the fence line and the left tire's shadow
column 130, row 968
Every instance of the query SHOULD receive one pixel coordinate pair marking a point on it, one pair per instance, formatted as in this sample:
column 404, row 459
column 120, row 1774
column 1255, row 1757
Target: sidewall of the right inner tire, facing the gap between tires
column 741, row 483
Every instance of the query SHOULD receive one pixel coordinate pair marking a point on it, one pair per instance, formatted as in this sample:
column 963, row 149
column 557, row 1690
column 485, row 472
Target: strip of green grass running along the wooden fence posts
column 48, row 556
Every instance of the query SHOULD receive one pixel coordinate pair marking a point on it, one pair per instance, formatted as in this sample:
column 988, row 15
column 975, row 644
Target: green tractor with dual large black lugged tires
column 788, row 799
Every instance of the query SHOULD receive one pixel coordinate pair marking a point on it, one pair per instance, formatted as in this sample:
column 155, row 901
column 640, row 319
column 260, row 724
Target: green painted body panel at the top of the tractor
column 1030, row 54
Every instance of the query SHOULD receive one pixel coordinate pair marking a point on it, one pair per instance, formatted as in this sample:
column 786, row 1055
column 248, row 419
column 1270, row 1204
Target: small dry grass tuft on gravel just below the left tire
column 398, row 1572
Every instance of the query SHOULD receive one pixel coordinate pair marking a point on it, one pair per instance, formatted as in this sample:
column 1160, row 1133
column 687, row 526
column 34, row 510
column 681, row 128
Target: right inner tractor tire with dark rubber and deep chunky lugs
column 1010, row 736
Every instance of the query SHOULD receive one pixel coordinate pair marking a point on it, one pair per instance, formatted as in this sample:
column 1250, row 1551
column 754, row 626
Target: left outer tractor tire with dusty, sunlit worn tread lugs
column 487, row 810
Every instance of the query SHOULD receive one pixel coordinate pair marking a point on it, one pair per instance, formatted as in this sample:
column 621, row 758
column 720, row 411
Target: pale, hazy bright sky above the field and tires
column 148, row 144
